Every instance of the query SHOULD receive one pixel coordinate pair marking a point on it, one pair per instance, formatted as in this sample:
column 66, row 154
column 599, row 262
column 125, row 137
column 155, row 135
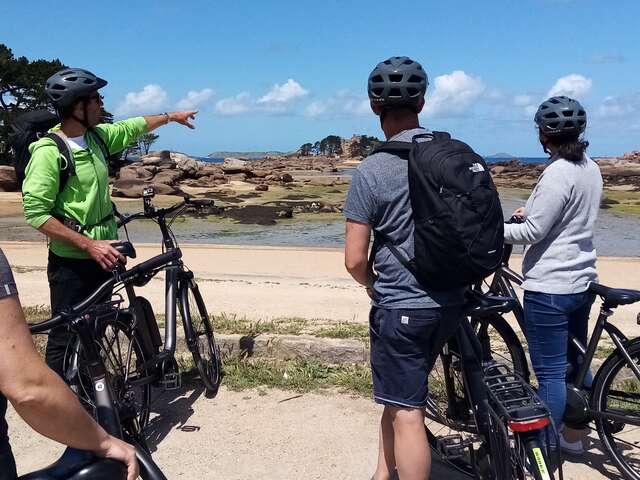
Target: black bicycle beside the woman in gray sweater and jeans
column 612, row 402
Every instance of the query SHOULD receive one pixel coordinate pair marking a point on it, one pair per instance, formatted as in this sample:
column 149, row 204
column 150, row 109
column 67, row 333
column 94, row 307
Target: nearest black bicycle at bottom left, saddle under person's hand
column 86, row 320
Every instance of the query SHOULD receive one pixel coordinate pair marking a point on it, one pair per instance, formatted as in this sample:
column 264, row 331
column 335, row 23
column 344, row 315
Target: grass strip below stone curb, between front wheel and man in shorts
column 296, row 375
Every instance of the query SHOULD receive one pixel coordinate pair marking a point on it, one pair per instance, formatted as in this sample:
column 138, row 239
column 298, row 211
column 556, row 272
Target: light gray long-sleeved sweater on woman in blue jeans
column 559, row 216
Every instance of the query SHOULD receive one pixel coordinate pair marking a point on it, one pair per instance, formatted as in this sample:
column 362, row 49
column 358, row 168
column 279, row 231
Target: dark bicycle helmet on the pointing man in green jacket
column 66, row 86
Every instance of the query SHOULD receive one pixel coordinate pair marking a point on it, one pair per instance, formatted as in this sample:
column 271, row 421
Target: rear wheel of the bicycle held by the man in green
column 122, row 354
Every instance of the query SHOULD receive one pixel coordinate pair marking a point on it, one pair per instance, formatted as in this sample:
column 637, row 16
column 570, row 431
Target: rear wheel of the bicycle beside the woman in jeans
column 605, row 390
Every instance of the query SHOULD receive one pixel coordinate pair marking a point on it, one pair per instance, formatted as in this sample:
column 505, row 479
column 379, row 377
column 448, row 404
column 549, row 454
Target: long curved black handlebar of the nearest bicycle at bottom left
column 141, row 269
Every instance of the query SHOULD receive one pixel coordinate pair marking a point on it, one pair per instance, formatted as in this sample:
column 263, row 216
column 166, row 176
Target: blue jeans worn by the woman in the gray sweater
column 550, row 319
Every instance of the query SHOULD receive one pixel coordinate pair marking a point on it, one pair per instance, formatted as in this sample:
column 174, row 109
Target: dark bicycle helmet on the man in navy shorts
column 398, row 81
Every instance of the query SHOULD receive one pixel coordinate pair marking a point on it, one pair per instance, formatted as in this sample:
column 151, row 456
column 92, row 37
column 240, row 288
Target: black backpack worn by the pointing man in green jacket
column 33, row 125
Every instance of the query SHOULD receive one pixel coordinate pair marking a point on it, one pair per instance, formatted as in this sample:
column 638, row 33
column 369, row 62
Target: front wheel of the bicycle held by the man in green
column 200, row 337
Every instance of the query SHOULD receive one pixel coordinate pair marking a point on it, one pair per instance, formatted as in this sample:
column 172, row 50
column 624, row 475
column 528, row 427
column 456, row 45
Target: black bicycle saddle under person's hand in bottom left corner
column 79, row 465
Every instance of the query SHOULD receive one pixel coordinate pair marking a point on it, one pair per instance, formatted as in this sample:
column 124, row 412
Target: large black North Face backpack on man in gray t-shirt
column 459, row 225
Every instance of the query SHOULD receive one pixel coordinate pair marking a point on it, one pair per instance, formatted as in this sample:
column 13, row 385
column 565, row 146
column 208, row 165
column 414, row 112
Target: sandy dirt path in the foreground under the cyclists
column 270, row 434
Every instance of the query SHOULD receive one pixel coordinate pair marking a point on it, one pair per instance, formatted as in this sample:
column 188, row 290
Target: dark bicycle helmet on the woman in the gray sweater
column 561, row 116
